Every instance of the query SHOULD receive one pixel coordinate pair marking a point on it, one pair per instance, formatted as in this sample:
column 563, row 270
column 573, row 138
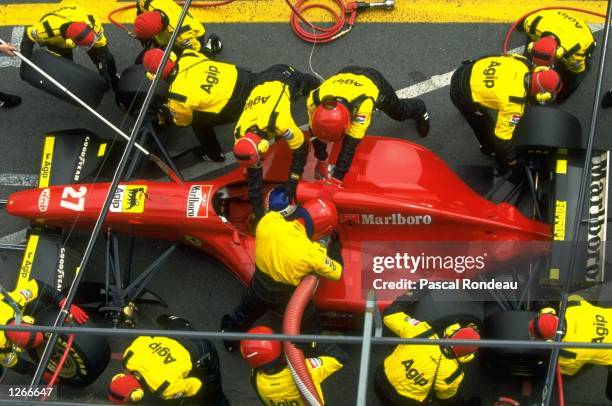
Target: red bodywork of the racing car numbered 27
column 389, row 177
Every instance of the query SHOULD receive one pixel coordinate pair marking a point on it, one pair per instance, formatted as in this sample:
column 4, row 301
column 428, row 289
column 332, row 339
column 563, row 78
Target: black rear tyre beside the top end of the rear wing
column 545, row 128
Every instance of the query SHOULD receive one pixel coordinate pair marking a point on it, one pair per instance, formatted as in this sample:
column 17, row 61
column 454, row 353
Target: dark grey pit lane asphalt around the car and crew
column 202, row 291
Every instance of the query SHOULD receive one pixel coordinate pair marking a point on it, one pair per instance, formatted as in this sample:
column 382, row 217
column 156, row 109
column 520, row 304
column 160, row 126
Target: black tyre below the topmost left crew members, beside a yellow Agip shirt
column 132, row 90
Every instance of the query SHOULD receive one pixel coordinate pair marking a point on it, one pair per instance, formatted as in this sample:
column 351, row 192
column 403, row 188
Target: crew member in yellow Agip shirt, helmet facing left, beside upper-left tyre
column 203, row 93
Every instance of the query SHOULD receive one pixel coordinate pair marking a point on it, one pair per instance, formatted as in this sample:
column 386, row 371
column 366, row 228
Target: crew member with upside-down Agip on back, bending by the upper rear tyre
column 491, row 93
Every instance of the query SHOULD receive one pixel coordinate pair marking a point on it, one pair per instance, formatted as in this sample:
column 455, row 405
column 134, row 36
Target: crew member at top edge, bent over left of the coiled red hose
column 156, row 20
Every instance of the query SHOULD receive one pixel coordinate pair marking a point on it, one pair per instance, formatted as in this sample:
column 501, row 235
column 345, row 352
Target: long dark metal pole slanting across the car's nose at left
column 46, row 356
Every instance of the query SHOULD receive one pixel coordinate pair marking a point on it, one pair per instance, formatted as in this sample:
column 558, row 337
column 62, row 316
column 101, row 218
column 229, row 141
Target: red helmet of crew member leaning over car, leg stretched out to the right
column 330, row 120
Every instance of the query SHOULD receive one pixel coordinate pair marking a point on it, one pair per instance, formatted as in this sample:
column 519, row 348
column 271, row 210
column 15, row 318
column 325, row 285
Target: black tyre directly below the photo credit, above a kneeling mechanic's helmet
column 441, row 308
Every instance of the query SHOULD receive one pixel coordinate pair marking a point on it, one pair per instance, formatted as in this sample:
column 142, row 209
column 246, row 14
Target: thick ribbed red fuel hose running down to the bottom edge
column 291, row 325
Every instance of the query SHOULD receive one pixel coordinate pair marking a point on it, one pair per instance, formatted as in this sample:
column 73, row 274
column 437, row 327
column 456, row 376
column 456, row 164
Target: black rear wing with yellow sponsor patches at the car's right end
column 591, row 254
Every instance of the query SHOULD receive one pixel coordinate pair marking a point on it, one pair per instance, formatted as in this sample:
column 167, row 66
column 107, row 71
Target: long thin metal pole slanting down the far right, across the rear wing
column 552, row 365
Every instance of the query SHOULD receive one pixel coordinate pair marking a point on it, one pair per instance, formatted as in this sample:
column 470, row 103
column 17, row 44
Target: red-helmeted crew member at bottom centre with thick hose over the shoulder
column 270, row 376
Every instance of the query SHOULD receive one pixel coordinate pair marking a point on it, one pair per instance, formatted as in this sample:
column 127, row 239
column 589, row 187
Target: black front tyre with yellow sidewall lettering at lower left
column 87, row 358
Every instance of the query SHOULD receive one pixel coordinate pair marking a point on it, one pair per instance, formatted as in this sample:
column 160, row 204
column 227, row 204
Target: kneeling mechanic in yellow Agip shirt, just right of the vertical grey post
column 416, row 374
